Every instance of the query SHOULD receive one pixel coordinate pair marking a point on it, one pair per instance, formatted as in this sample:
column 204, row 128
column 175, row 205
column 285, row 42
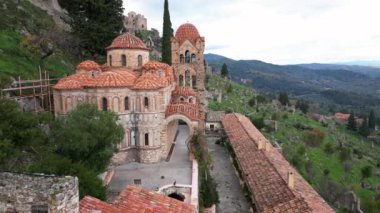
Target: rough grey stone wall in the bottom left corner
column 19, row 192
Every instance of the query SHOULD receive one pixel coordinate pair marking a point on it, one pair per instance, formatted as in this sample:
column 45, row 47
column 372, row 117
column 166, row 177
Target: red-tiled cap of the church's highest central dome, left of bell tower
column 127, row 41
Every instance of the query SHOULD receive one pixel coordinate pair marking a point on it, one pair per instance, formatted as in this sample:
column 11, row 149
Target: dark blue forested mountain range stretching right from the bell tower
column 342, row 84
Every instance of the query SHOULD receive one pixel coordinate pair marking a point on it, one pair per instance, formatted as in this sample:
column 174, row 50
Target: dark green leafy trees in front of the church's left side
column 80, row 145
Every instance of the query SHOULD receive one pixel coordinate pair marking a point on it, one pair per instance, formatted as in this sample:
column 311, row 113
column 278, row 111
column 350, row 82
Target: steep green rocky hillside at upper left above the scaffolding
column 27, row 33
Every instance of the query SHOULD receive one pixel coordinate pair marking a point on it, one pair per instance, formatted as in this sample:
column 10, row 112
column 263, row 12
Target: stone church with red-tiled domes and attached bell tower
column 149, row 97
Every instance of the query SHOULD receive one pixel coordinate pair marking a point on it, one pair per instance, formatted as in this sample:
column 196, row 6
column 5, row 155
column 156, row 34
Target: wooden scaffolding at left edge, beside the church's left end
column 40, row 91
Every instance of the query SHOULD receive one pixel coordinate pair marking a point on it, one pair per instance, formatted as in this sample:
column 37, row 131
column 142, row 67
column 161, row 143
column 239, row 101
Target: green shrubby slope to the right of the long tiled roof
column 331, row 158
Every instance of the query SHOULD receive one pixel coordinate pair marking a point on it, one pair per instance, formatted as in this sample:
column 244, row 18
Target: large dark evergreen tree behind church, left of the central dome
column 95, row 22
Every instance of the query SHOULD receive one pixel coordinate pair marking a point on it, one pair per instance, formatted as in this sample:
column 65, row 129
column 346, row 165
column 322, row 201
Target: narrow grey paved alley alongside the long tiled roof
column 231, row 195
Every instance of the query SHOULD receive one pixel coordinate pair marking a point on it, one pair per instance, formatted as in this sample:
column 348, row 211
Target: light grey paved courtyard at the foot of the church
column 177, row 169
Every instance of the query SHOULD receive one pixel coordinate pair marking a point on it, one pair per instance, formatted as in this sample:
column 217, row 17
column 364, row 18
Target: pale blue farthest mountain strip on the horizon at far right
column 370, row 71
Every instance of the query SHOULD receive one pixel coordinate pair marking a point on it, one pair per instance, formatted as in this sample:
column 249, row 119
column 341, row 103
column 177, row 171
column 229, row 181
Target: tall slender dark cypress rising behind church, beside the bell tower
column 167, row 34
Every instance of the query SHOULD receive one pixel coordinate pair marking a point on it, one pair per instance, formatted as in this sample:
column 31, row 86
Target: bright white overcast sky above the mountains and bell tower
column 277, row 31
